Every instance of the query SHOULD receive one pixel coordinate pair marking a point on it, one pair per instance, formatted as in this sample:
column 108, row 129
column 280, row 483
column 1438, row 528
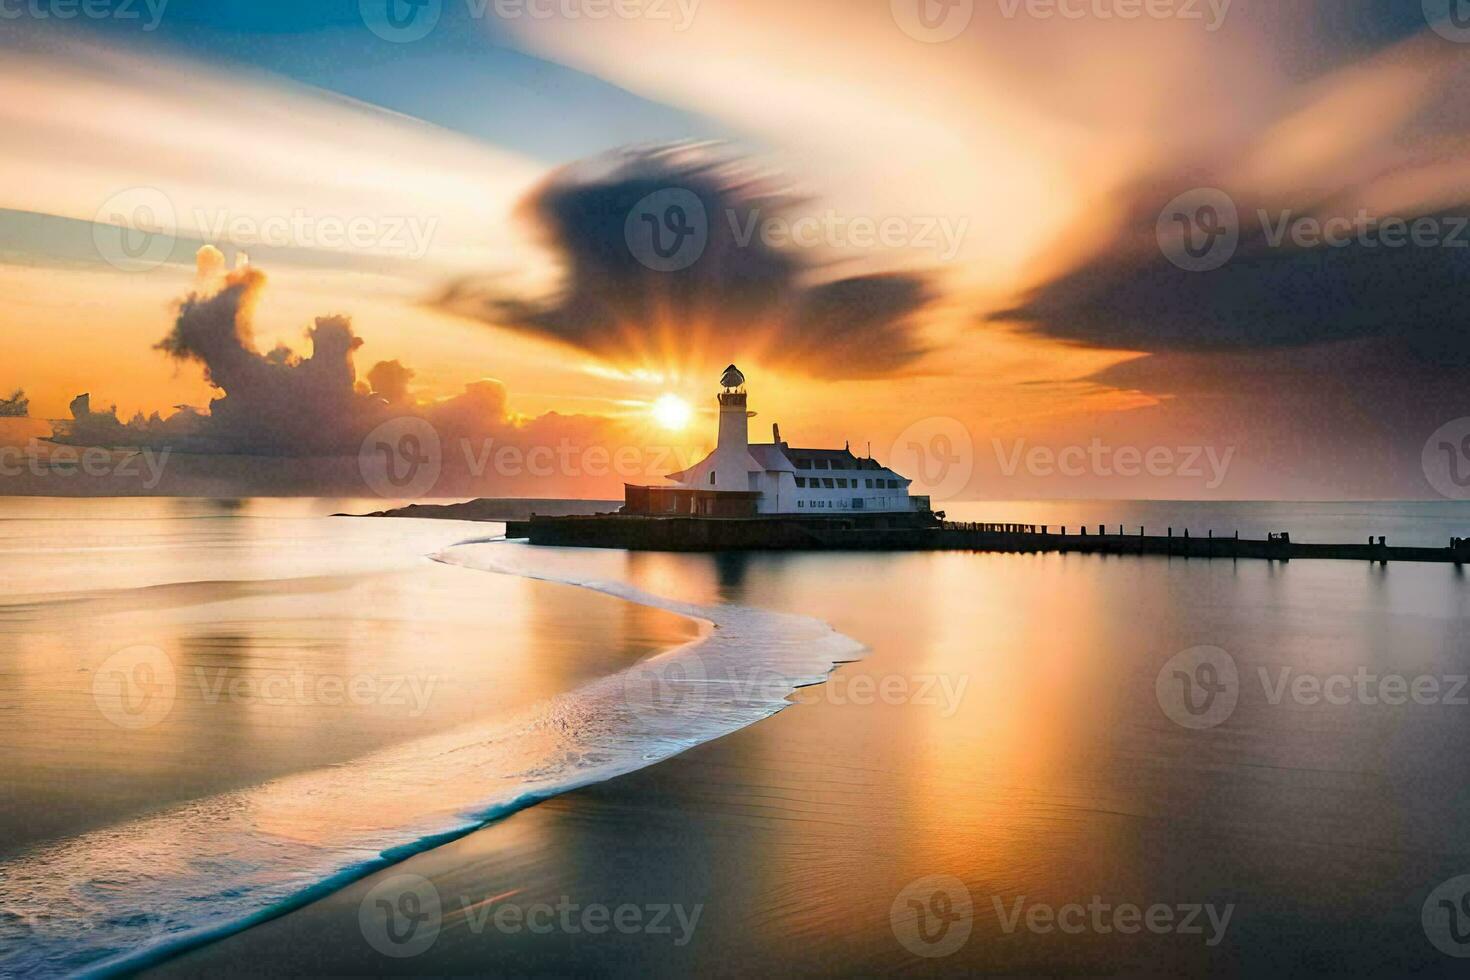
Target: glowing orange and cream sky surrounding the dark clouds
column 986, row 133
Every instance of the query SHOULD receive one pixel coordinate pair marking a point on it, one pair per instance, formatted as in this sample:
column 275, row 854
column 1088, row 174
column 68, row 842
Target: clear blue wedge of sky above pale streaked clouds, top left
column 467, row 76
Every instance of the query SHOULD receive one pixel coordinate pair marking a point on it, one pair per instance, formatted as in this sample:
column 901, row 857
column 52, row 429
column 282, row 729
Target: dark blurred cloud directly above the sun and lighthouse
column 740, row 298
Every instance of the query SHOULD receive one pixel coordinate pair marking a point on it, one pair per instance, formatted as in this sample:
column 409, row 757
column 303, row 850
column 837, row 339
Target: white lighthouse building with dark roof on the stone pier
column 743, row 480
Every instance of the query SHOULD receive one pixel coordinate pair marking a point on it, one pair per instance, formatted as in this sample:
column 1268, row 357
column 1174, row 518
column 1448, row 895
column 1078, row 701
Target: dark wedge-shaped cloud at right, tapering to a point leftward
column 1269, row 296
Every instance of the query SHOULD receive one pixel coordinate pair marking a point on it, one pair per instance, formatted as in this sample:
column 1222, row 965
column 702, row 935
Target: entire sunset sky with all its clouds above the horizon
column 967, row 228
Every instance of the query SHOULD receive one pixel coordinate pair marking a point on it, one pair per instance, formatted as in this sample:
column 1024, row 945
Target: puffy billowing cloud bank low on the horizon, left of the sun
column 299, row 422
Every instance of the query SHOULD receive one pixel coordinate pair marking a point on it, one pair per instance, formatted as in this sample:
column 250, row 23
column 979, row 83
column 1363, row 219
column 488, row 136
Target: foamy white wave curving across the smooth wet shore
column 135, row 894
